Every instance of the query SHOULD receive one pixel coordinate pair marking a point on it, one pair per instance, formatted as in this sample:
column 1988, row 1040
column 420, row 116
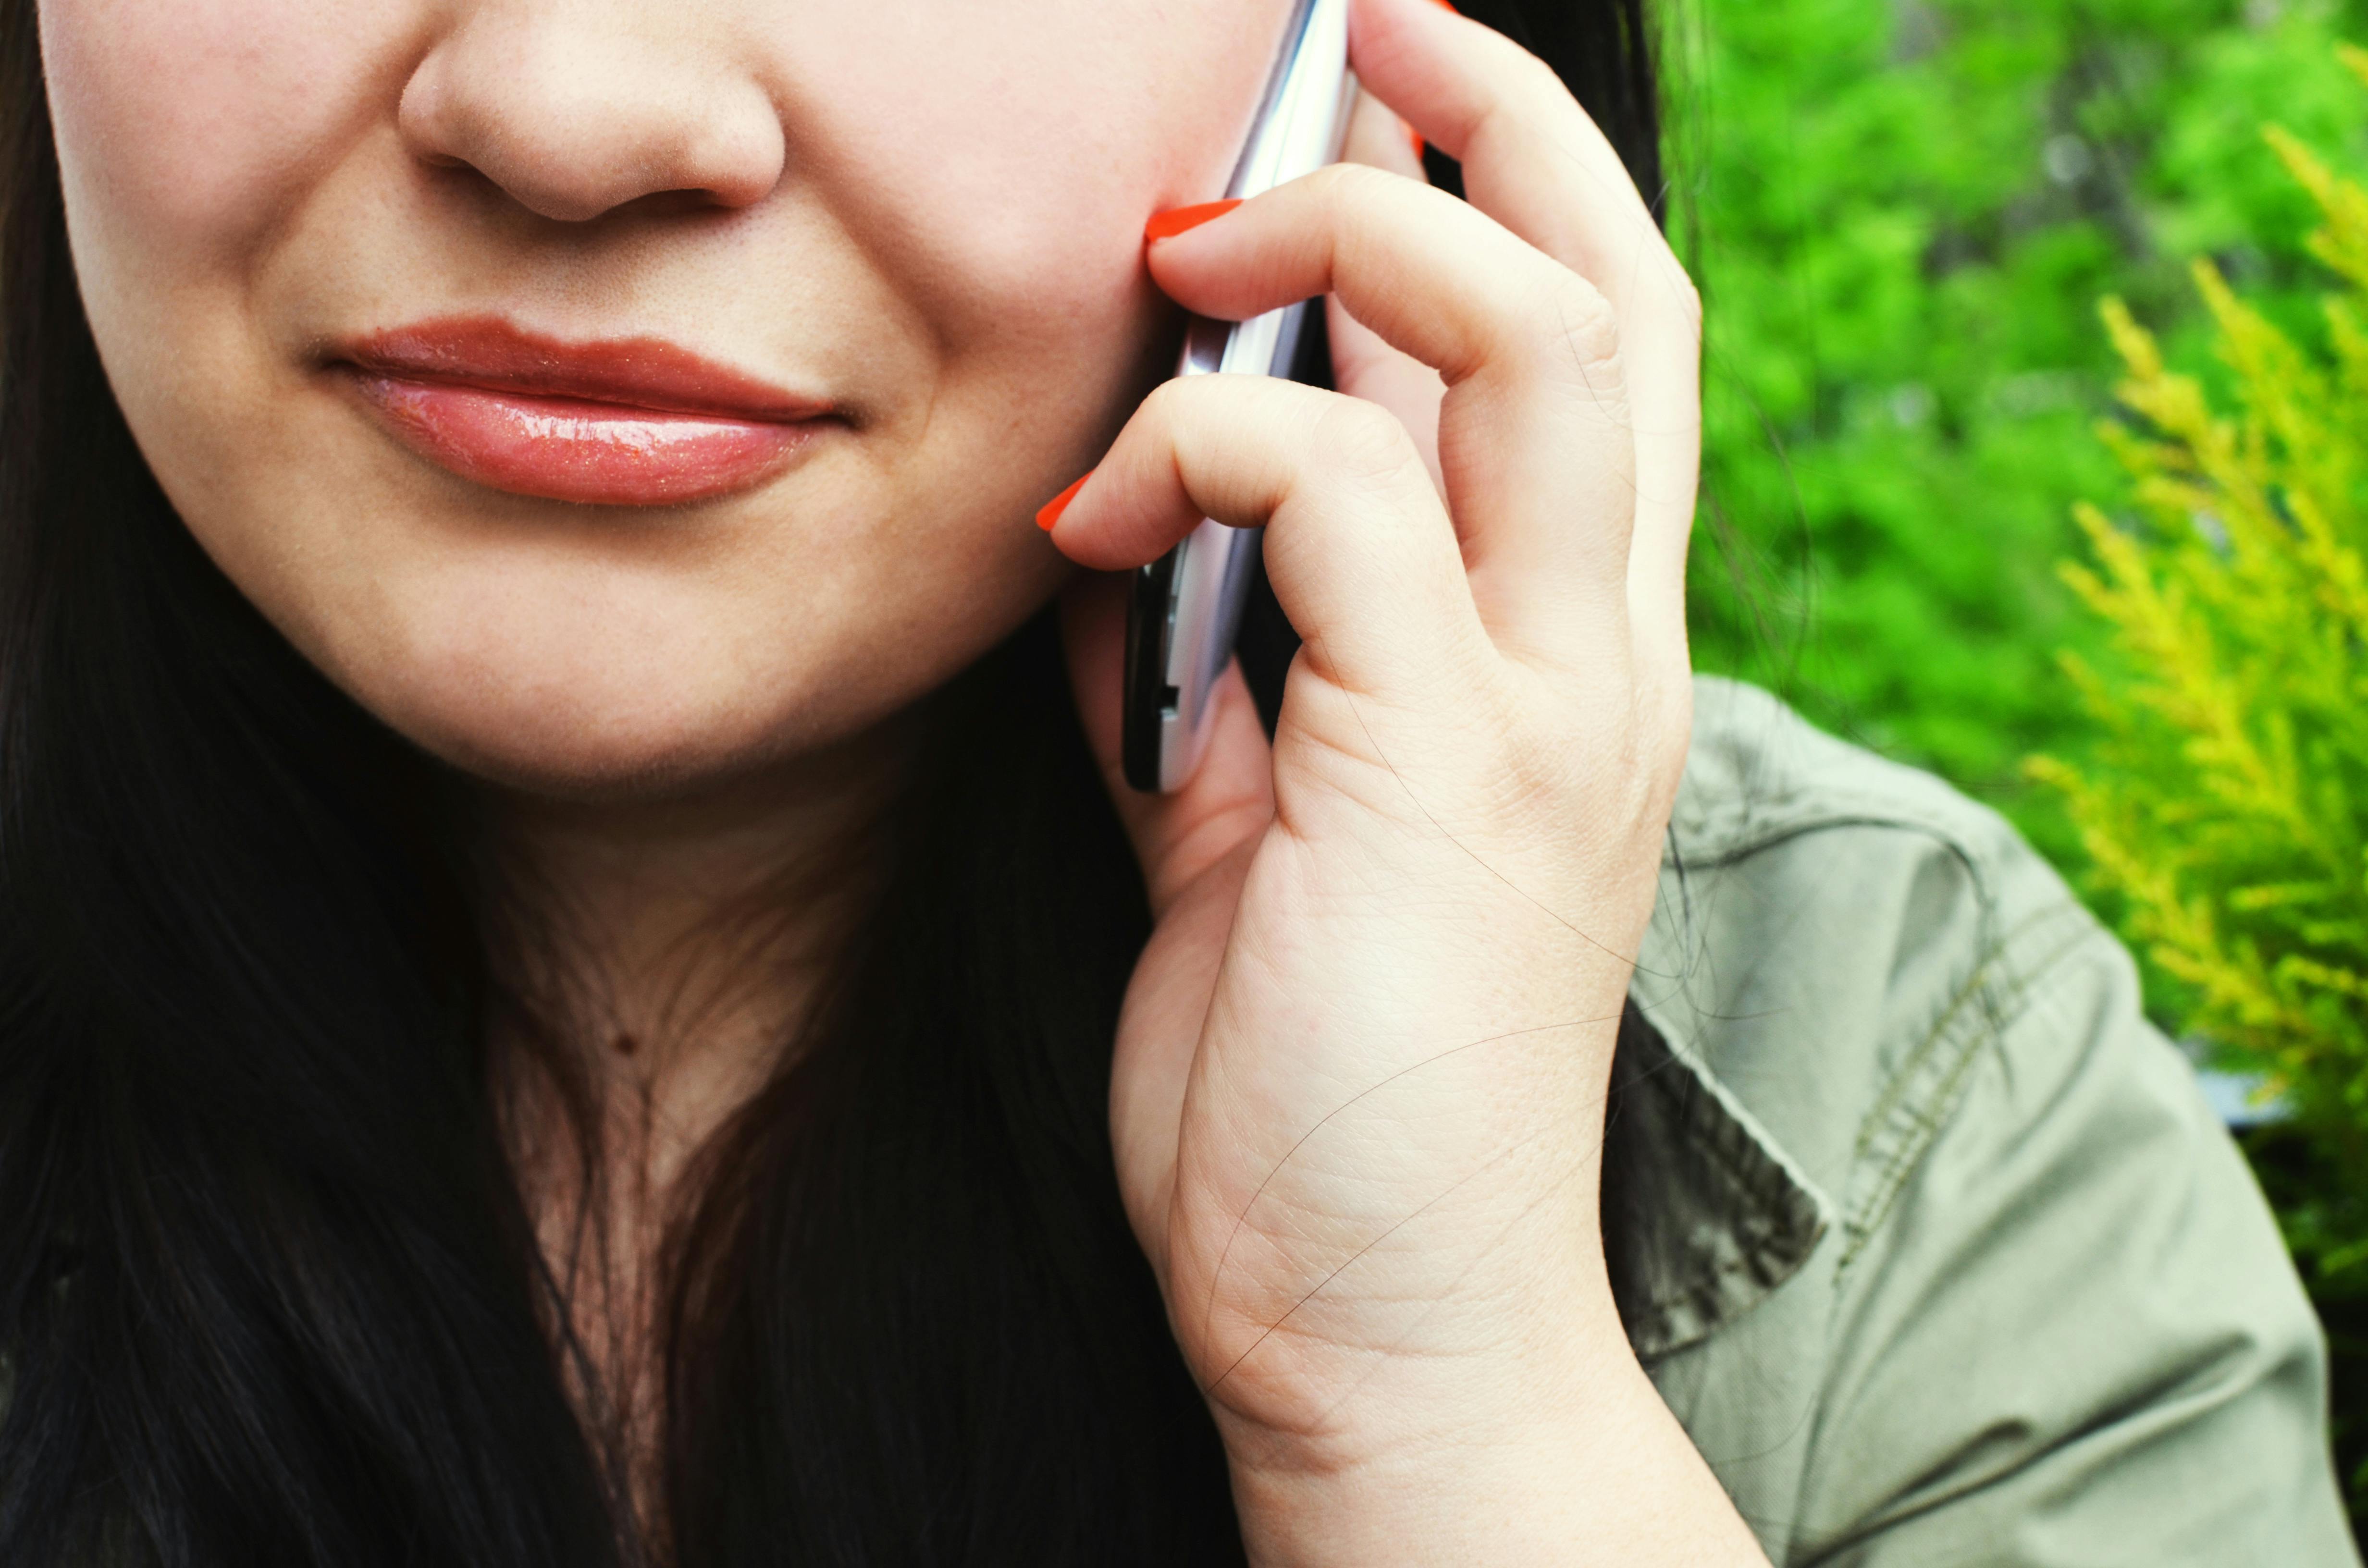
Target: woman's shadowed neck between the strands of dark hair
column 657, row 960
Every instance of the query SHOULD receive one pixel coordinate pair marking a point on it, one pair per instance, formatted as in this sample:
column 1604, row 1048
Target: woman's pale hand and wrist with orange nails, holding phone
column 1358, row 1095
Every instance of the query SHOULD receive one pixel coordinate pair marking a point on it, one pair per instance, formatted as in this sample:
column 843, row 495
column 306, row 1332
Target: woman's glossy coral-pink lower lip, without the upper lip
column 570, row 449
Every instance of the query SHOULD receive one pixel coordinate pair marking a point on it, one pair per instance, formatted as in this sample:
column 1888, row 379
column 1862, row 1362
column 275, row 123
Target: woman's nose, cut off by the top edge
column 577, row 110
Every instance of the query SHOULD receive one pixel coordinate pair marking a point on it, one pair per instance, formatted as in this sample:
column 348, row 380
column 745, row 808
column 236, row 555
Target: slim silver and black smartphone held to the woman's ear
column 1188, row 605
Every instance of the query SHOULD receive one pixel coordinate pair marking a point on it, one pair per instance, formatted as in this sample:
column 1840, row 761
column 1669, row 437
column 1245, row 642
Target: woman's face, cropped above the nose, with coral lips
column 619, row 394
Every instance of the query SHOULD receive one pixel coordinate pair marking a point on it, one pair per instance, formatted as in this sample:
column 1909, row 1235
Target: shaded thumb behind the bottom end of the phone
column 1228, row 799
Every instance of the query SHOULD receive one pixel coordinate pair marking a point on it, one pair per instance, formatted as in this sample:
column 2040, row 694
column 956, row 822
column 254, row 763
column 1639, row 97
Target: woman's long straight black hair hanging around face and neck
column 266, row 1280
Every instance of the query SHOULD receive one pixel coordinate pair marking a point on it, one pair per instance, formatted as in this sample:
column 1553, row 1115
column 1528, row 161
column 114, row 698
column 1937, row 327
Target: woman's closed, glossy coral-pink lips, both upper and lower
column 617, row 423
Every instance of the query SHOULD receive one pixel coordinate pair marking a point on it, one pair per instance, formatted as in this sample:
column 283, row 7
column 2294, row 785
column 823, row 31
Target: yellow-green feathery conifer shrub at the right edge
column 2227, row 799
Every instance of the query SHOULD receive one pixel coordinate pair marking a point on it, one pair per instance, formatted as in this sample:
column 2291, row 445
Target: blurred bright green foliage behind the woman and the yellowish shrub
column 1903, row 217
